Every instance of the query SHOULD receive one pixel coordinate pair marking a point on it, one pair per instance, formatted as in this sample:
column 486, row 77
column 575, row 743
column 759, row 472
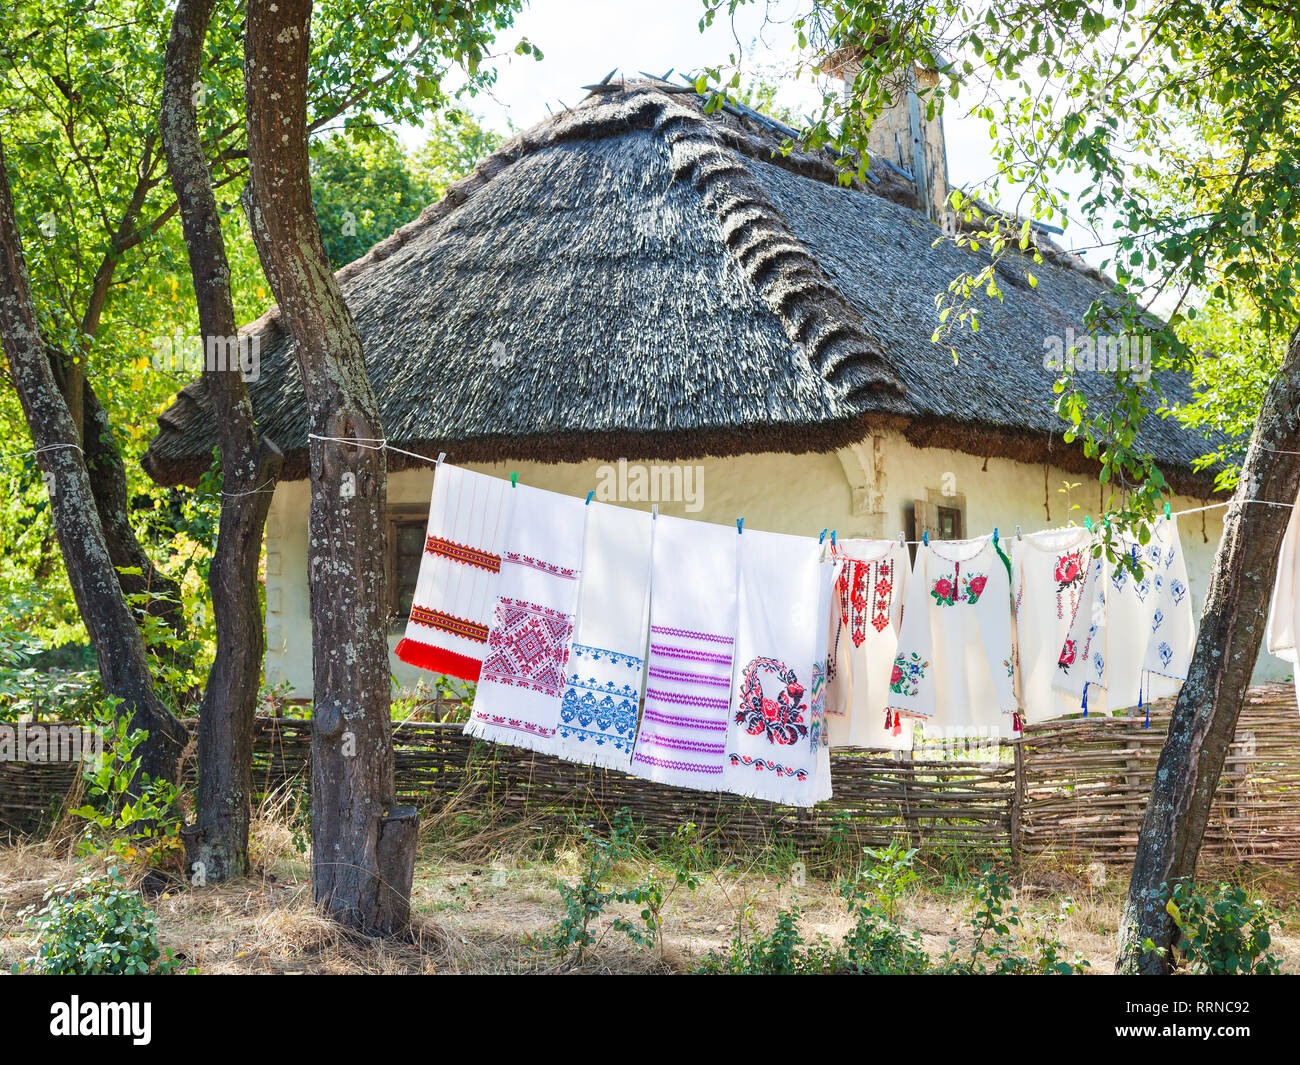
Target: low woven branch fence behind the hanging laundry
column 1076, row 787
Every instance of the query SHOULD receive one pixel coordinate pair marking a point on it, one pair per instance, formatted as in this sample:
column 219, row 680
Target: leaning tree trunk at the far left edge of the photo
column 114, row 633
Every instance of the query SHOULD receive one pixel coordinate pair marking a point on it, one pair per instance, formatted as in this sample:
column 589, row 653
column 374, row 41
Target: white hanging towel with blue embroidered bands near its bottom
column 603, row 692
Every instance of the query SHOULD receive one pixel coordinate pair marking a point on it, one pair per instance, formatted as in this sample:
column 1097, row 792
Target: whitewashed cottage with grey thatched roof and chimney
column 647, row 300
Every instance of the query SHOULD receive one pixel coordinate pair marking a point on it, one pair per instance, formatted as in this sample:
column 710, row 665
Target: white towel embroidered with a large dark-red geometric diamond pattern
column 518, row 700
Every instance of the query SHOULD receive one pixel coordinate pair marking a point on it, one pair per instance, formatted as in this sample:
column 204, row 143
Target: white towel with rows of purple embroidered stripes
column 690, row 666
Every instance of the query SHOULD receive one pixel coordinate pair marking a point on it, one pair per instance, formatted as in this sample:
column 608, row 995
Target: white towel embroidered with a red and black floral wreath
column 770, row 737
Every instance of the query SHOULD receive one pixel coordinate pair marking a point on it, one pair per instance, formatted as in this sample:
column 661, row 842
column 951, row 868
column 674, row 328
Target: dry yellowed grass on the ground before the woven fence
column 484, row 889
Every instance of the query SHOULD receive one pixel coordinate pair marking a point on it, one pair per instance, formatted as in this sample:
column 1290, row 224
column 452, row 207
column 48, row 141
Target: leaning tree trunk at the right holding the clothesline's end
column 1232, row 630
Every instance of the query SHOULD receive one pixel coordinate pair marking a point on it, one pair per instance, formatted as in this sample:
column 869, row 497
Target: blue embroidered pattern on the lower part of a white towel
column 604, row 713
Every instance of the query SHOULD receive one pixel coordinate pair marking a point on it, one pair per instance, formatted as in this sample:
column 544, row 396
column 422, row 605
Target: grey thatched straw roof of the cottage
column 638, row 279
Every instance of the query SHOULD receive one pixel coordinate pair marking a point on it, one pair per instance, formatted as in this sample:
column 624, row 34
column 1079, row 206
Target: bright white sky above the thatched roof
column 583, row 41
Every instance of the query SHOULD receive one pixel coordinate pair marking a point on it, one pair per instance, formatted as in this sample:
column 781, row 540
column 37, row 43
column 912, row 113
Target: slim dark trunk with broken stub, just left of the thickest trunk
column 218, row 842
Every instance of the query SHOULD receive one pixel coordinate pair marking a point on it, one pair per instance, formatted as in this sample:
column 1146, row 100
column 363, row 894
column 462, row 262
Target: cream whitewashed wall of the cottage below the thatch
column 860, row 492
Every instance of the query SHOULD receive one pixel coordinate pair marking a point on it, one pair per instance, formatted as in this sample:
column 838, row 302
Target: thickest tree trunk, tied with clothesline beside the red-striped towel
column 363, row 848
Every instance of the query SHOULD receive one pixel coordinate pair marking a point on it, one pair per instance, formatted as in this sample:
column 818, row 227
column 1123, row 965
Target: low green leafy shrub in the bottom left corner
column 99, row 928
